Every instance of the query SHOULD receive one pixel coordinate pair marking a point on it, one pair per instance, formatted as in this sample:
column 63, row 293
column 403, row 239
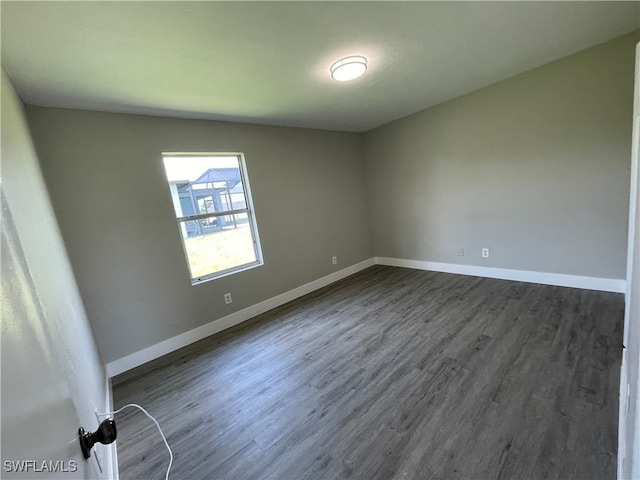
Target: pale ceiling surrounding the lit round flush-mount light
column 268, row 62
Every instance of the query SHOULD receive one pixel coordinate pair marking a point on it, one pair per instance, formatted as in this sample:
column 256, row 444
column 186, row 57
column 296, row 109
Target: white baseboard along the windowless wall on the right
column 556, row 279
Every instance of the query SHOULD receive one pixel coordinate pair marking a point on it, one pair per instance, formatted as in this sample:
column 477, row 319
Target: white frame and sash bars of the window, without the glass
column 249, row 210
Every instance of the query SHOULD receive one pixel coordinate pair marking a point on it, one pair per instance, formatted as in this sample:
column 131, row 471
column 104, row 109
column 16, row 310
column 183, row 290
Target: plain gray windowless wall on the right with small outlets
column 535, row 167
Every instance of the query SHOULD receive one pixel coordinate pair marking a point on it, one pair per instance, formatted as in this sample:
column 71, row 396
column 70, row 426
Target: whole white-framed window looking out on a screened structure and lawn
column 211, row 197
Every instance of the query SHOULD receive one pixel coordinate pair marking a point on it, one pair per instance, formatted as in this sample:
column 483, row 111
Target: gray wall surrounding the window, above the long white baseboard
column 109, row 190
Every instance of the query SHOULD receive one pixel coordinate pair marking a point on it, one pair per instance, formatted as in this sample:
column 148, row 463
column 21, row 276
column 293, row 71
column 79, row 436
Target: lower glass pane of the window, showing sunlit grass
column 218, row 243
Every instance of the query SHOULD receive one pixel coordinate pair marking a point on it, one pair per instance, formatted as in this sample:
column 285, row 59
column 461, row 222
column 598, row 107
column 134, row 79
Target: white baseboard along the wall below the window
column 167, row 346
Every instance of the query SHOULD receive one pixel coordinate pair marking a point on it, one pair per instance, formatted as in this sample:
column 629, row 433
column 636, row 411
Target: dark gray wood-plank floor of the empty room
column 390, row 373
